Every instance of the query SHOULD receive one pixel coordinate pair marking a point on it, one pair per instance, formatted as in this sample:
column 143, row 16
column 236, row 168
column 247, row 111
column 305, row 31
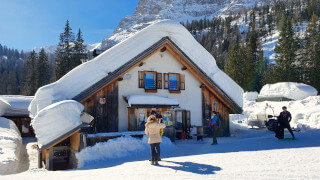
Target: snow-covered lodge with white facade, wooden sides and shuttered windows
column 162, row 68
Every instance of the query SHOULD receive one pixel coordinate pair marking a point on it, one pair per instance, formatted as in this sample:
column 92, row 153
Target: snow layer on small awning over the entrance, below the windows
column 145, row 101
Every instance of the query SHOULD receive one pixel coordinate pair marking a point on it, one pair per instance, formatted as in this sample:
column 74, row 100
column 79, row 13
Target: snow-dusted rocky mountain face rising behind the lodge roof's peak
column 151, row 11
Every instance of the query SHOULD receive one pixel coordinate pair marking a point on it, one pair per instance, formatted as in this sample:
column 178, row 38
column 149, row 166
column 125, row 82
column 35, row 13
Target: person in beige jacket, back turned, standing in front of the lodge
column 153, row 130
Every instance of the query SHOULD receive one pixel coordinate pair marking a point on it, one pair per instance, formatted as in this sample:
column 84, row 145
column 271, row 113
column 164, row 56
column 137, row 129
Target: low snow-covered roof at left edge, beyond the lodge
column 14, row 105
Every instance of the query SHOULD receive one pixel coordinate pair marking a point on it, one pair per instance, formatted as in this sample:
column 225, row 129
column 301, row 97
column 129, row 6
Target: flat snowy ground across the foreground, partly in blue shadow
column 256, row 155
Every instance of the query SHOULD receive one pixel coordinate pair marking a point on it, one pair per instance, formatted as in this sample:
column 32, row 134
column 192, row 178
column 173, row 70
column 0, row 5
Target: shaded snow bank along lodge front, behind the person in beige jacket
column 120, row 149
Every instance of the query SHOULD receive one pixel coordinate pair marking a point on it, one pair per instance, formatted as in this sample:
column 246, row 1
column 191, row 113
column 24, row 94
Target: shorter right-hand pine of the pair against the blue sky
column 80, row 50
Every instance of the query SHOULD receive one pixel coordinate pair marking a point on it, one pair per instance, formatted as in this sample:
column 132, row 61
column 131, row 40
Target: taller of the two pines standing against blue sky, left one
column 64, row 52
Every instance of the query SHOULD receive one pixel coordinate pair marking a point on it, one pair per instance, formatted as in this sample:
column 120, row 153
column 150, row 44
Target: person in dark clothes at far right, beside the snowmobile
column 284, row 122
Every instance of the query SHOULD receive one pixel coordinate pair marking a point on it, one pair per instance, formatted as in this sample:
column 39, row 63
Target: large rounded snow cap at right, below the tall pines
column 290, row 90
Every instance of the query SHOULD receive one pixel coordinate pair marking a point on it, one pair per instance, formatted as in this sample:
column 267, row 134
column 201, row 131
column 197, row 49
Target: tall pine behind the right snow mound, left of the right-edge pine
column 285, row 70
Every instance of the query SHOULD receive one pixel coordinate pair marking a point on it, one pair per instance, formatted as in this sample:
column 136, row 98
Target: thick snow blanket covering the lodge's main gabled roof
column 85, row 75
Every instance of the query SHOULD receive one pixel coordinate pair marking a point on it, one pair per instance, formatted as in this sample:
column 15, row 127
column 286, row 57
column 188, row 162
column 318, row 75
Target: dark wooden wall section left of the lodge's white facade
column 103, row 106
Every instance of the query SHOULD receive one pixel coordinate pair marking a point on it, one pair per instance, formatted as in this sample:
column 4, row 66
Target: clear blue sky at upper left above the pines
column 26, row 24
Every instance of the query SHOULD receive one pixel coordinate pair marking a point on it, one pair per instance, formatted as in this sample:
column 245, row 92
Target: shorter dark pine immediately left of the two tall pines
column 43, row 69
